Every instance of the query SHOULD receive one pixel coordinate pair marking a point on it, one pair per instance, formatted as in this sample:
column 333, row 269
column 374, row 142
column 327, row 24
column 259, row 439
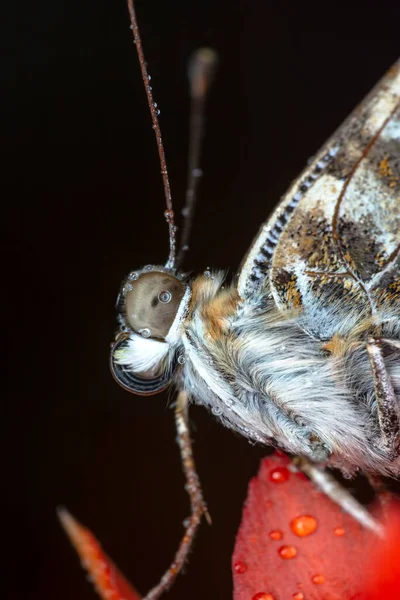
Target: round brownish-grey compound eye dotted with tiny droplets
column 152, row 303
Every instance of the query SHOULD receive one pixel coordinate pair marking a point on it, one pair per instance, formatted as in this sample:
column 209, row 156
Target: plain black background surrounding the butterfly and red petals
column 84, row 203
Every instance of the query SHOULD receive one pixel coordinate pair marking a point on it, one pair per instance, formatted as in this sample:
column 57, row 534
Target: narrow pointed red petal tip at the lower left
column 110, row 584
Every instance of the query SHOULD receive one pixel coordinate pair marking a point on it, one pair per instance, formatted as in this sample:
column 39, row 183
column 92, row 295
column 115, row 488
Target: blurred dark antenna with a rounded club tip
column 201, row 71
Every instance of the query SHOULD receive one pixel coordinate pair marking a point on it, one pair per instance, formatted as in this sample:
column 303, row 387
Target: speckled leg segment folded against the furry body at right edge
column 388, row 406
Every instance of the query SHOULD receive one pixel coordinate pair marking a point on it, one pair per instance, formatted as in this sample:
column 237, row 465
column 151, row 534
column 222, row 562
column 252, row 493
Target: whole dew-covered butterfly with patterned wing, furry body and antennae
column 302, row 349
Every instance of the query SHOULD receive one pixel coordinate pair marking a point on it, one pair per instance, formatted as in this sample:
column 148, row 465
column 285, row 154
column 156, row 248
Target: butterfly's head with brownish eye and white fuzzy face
column 152, row 304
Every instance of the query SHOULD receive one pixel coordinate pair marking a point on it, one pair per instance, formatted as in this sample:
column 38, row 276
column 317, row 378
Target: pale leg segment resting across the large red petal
column 323, row 480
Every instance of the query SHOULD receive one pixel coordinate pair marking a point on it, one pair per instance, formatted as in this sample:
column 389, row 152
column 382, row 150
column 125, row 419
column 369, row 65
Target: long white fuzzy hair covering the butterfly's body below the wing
column 271, row 381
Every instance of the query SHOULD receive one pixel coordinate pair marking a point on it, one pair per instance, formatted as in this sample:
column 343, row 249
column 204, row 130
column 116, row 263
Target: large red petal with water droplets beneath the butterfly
column 296, row 543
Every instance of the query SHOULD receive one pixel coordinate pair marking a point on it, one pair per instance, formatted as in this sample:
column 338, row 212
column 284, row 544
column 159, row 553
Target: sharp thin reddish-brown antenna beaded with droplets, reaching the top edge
column 169, row 213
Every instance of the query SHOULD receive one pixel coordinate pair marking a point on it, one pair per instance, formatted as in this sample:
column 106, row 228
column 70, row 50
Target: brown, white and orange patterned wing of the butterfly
column 332, row 244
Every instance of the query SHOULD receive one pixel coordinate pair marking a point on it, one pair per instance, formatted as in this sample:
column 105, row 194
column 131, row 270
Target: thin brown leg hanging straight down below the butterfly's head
column 193, row 487
